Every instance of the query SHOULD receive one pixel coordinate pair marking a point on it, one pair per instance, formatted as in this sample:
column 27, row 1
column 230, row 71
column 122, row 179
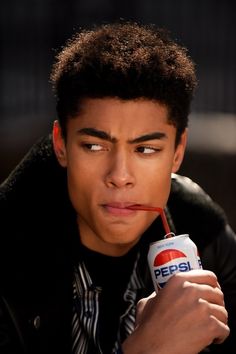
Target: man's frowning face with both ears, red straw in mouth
column 117, row 154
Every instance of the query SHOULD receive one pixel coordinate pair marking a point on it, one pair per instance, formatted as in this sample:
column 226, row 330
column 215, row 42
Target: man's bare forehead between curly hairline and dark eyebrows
column 126, row 118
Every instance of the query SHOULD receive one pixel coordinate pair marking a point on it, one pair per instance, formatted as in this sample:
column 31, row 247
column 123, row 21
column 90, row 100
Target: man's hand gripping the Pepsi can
column 186, row 316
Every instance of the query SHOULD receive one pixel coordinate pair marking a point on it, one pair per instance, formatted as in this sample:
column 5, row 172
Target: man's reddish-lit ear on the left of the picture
column 59, row 144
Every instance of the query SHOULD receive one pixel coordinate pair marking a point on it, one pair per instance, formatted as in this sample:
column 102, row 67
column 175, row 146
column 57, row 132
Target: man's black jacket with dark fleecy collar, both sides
column 38, row 243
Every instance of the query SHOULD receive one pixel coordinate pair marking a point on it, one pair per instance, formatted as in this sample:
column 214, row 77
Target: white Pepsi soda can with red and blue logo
column 171, row 255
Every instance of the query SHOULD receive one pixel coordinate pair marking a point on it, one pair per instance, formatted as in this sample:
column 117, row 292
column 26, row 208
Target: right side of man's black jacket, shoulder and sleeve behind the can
column 195, row 213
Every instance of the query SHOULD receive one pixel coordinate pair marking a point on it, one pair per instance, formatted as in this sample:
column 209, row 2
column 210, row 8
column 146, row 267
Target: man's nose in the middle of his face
column 120, row 172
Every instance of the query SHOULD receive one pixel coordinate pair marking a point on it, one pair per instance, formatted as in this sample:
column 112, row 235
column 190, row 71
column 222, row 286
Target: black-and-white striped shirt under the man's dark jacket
column 86, row 310
